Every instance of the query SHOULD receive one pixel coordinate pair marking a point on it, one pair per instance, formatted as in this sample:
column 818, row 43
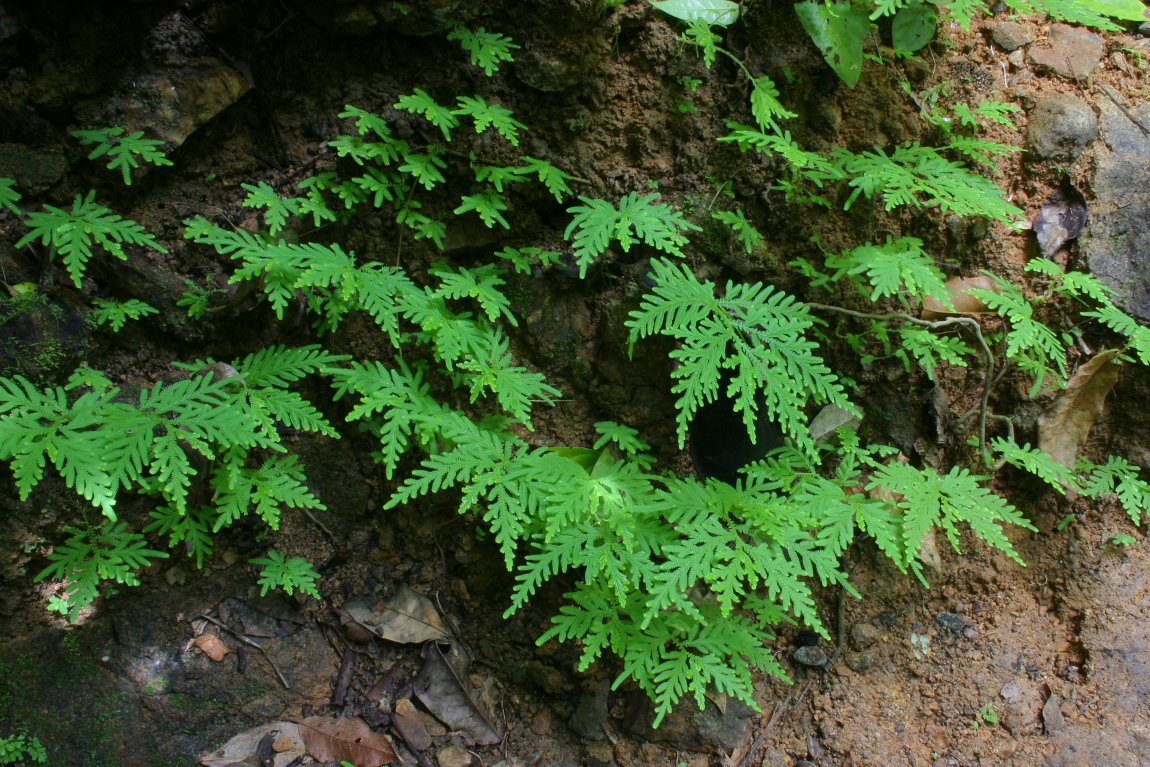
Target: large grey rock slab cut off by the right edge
column 1117, row 239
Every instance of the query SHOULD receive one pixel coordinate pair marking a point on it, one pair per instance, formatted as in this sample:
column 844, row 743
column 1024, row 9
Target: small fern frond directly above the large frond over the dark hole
column 637, row 219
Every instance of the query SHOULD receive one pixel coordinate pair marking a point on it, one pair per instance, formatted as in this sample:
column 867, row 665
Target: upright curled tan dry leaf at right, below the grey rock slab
column 1067, row 424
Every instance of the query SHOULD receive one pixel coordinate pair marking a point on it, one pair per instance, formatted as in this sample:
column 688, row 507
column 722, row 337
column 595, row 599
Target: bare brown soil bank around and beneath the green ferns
column 994, row 664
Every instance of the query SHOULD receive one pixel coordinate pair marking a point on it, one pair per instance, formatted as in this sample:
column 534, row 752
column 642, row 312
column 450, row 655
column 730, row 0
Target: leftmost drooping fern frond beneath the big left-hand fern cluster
column 89, row 557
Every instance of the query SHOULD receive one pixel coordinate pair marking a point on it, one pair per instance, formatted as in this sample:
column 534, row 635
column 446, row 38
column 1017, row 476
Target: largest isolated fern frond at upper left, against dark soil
column 73, row 235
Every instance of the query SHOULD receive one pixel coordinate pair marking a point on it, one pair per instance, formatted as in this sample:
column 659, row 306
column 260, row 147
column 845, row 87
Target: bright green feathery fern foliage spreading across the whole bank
column 684, row 580
